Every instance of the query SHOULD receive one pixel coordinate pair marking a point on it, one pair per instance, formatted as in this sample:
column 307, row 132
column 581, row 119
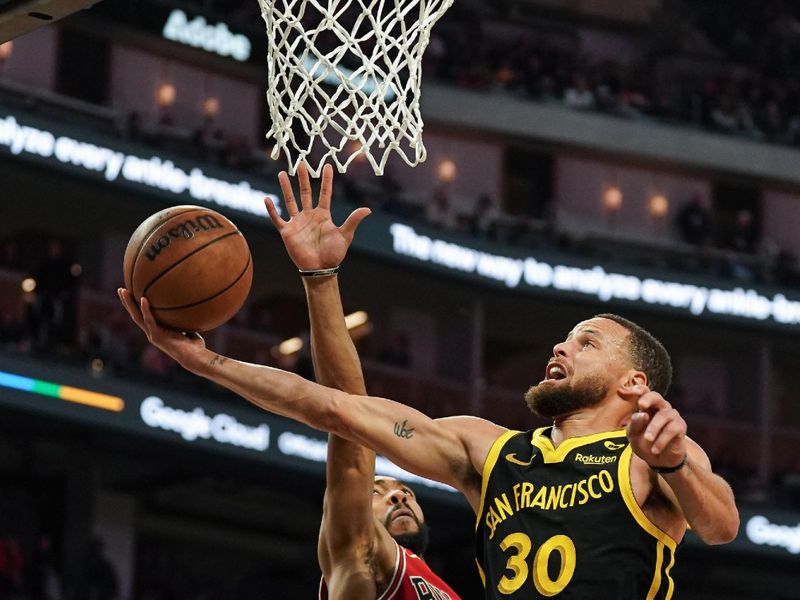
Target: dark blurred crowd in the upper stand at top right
column 705, row 64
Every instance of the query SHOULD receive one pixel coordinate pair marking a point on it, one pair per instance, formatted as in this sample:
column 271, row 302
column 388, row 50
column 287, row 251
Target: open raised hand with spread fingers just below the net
column 311, row 238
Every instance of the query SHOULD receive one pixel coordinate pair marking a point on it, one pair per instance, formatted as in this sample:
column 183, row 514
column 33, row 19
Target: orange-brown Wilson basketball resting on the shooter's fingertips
column 192, row 264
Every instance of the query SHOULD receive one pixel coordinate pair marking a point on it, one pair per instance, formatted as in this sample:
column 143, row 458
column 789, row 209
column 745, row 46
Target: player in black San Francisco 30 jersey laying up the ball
column 593, row 506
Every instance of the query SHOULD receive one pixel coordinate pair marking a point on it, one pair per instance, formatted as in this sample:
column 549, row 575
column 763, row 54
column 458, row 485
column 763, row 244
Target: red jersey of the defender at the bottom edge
column 412, row 580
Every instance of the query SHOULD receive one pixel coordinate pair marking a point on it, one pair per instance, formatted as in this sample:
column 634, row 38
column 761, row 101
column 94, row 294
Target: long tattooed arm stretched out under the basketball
column 451, row 450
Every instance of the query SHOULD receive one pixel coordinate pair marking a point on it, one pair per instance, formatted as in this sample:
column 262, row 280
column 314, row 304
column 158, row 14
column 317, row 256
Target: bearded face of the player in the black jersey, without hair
column 583, row 371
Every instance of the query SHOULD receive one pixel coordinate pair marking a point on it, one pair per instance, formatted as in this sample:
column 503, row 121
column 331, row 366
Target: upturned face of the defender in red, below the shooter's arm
column 395, row 505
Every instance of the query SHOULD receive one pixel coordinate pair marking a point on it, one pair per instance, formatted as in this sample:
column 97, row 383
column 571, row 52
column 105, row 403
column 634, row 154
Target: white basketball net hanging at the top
column 344, row 79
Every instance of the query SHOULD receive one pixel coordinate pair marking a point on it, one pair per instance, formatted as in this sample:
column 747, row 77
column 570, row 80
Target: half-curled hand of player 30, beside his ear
column 657, row 433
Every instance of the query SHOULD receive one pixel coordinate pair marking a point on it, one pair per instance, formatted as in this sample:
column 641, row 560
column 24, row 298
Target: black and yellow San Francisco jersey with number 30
column 563, row 522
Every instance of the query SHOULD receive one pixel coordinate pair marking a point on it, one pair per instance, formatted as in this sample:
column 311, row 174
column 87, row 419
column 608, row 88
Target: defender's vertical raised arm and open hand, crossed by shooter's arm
column 351, row 552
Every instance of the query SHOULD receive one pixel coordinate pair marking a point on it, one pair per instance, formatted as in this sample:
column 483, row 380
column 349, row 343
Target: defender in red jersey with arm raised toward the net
column 373, row 532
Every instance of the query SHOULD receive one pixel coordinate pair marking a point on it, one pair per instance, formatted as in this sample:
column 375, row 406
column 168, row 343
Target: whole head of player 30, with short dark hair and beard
column 602, row 357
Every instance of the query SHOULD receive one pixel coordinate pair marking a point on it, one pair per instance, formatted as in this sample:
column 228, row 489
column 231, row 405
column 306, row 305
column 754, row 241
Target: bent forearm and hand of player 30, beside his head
column 658, row 436
